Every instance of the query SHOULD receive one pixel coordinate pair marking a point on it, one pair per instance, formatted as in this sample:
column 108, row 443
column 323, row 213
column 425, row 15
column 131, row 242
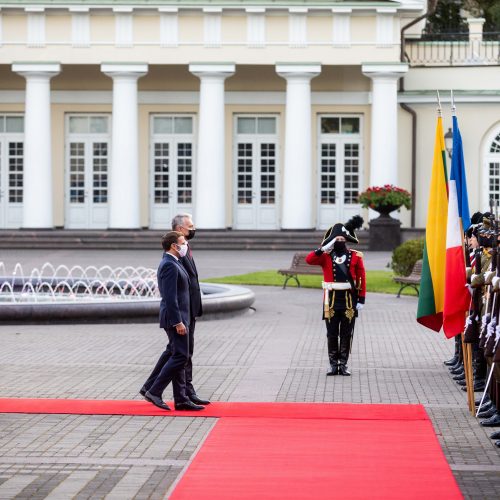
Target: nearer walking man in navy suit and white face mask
column 175, row 316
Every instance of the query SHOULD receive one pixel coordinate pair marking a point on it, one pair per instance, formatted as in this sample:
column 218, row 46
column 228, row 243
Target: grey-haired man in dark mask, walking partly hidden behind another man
column 183, row 223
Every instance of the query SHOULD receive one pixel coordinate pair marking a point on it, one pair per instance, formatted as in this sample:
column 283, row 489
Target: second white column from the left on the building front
column 124, row 206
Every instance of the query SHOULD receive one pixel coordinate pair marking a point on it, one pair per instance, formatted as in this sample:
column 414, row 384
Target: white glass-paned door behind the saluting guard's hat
column 340, row 169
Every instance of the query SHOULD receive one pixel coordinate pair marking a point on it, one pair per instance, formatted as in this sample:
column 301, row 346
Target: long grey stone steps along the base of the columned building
column 150, row 239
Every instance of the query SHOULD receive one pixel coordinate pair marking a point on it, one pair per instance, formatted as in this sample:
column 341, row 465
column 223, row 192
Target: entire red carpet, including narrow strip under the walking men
column 296, row 450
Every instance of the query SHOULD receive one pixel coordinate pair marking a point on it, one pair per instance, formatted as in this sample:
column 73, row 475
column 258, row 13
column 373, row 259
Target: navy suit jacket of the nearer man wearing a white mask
column 173, row 283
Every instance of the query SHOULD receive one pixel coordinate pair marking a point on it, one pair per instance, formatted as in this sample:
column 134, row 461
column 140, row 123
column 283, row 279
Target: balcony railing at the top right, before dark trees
column 454, row 49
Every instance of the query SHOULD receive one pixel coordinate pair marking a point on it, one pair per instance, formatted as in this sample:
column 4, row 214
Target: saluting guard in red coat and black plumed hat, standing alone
column 344, row 289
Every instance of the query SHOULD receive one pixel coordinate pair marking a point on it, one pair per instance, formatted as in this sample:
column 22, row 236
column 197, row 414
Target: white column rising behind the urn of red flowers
column 384, row 124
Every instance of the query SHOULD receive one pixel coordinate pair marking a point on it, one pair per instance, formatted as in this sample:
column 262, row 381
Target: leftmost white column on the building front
column 37, row 192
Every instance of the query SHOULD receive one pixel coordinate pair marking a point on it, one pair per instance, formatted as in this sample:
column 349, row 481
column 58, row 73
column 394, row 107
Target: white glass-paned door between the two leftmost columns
column 87, row 163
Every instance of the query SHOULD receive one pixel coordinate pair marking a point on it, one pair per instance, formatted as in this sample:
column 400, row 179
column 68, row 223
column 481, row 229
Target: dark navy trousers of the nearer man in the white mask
column 171, row 367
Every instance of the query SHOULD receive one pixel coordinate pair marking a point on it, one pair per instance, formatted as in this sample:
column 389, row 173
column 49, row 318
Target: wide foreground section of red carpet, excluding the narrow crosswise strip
column 319, row 459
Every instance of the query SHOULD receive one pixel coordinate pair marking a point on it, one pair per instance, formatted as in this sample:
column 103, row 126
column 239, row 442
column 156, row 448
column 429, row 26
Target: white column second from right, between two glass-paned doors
column 297, row 207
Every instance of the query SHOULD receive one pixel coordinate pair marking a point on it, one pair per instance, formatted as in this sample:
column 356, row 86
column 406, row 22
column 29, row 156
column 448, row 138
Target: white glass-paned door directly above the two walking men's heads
column 171, row 170
